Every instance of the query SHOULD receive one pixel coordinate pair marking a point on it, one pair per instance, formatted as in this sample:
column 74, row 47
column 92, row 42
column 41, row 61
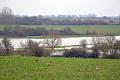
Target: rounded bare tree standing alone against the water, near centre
column 53, row 39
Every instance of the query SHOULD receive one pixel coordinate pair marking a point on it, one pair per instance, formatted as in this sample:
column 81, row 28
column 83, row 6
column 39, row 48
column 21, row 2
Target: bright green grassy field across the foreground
column 34, row 68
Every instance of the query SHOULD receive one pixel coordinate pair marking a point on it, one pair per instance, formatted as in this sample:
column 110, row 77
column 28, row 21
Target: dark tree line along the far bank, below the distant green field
column 21, row 31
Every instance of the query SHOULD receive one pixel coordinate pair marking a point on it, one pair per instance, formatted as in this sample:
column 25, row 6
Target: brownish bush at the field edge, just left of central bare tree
column 31, row 48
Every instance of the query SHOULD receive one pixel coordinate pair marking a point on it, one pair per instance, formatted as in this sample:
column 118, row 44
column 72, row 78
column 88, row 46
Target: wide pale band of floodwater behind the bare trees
column 16, row 42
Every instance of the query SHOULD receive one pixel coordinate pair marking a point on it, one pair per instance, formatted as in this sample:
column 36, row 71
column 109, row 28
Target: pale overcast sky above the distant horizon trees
column 63, row 7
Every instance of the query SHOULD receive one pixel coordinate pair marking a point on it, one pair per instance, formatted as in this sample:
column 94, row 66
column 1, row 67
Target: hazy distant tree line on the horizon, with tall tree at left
column 7, row 17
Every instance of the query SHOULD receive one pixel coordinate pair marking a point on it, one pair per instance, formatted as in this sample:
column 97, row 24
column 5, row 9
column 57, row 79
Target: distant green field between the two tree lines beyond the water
column 79, row 28
